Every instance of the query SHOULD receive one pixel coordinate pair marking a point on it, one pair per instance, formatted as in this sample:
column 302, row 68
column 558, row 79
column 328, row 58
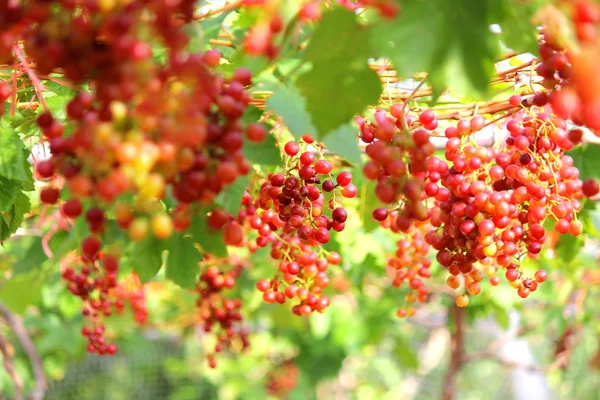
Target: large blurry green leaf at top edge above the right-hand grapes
column 451, row 40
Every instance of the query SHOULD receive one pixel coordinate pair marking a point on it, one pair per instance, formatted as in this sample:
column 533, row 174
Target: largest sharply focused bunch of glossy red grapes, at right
column 495, row 201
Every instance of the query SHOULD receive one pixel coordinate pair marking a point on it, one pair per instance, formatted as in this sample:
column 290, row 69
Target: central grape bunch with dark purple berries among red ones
column 295, row 221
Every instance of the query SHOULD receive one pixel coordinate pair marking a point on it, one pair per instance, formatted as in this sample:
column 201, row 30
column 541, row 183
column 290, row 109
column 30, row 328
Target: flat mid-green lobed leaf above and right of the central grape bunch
column 340, row 83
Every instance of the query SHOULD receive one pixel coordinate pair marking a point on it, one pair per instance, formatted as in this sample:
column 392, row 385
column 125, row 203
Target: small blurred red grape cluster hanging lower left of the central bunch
column 219, row 314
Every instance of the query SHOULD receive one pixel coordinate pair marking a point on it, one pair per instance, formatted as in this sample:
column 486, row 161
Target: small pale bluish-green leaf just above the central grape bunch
column 289, row 104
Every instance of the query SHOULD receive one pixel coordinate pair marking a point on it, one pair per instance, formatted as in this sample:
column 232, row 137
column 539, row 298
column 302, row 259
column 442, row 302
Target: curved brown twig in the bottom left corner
column 16, row 325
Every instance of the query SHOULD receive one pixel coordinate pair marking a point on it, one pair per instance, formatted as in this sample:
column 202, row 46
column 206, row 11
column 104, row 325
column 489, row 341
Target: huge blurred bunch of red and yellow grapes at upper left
column 147, row 130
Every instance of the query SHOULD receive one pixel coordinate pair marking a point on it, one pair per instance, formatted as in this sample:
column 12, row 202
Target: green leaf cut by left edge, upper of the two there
column 13, row 158
